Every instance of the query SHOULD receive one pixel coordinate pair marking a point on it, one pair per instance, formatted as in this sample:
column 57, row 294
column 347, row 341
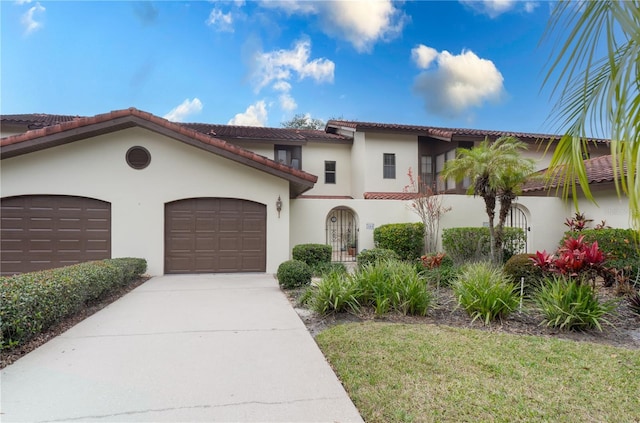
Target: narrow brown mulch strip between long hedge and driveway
column 9, row 356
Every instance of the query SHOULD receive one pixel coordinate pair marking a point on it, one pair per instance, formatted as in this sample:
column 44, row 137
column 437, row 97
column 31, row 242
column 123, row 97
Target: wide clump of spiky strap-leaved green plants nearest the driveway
column 384, row 286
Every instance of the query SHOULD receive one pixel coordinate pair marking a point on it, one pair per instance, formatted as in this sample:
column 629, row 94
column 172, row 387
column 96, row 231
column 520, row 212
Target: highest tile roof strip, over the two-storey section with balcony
column 438, row 132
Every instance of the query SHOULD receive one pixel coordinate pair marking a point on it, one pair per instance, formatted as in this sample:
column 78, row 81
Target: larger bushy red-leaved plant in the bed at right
column 575, row 258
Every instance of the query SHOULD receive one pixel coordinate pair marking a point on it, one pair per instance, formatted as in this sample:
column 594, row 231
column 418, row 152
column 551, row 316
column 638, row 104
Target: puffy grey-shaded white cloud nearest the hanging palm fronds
column 458, row 83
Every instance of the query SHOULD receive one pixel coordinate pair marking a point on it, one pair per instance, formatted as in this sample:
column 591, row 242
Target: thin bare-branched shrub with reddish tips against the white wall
column 428, row 206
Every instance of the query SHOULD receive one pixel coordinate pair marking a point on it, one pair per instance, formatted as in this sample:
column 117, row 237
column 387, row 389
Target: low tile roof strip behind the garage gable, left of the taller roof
column 263, row 133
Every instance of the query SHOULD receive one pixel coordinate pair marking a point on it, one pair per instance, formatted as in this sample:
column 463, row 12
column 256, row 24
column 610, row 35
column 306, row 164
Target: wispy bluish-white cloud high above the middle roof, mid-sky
column 281, row 65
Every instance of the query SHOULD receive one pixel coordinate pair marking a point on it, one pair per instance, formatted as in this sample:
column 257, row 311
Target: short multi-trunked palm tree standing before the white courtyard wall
column 496, row 171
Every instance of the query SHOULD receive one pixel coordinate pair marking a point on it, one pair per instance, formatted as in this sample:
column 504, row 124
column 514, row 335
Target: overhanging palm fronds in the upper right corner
column 597, row 93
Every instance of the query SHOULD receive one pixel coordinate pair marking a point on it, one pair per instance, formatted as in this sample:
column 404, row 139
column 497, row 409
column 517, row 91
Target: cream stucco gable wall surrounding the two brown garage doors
column 96, row 168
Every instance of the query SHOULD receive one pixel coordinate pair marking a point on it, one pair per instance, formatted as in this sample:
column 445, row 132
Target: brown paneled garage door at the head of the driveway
column 215, row 235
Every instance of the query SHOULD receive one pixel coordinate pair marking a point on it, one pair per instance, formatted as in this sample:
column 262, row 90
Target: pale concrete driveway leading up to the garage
column 181, row 349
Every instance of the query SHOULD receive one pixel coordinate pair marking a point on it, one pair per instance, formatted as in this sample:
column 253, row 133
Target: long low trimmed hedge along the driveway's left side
column 32, row 302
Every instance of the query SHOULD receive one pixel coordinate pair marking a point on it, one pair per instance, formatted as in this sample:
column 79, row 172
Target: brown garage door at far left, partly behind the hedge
column 46, row 231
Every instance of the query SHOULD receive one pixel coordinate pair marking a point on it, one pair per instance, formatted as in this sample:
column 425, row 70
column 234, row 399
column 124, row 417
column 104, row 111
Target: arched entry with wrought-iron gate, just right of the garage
column 342, row 233
